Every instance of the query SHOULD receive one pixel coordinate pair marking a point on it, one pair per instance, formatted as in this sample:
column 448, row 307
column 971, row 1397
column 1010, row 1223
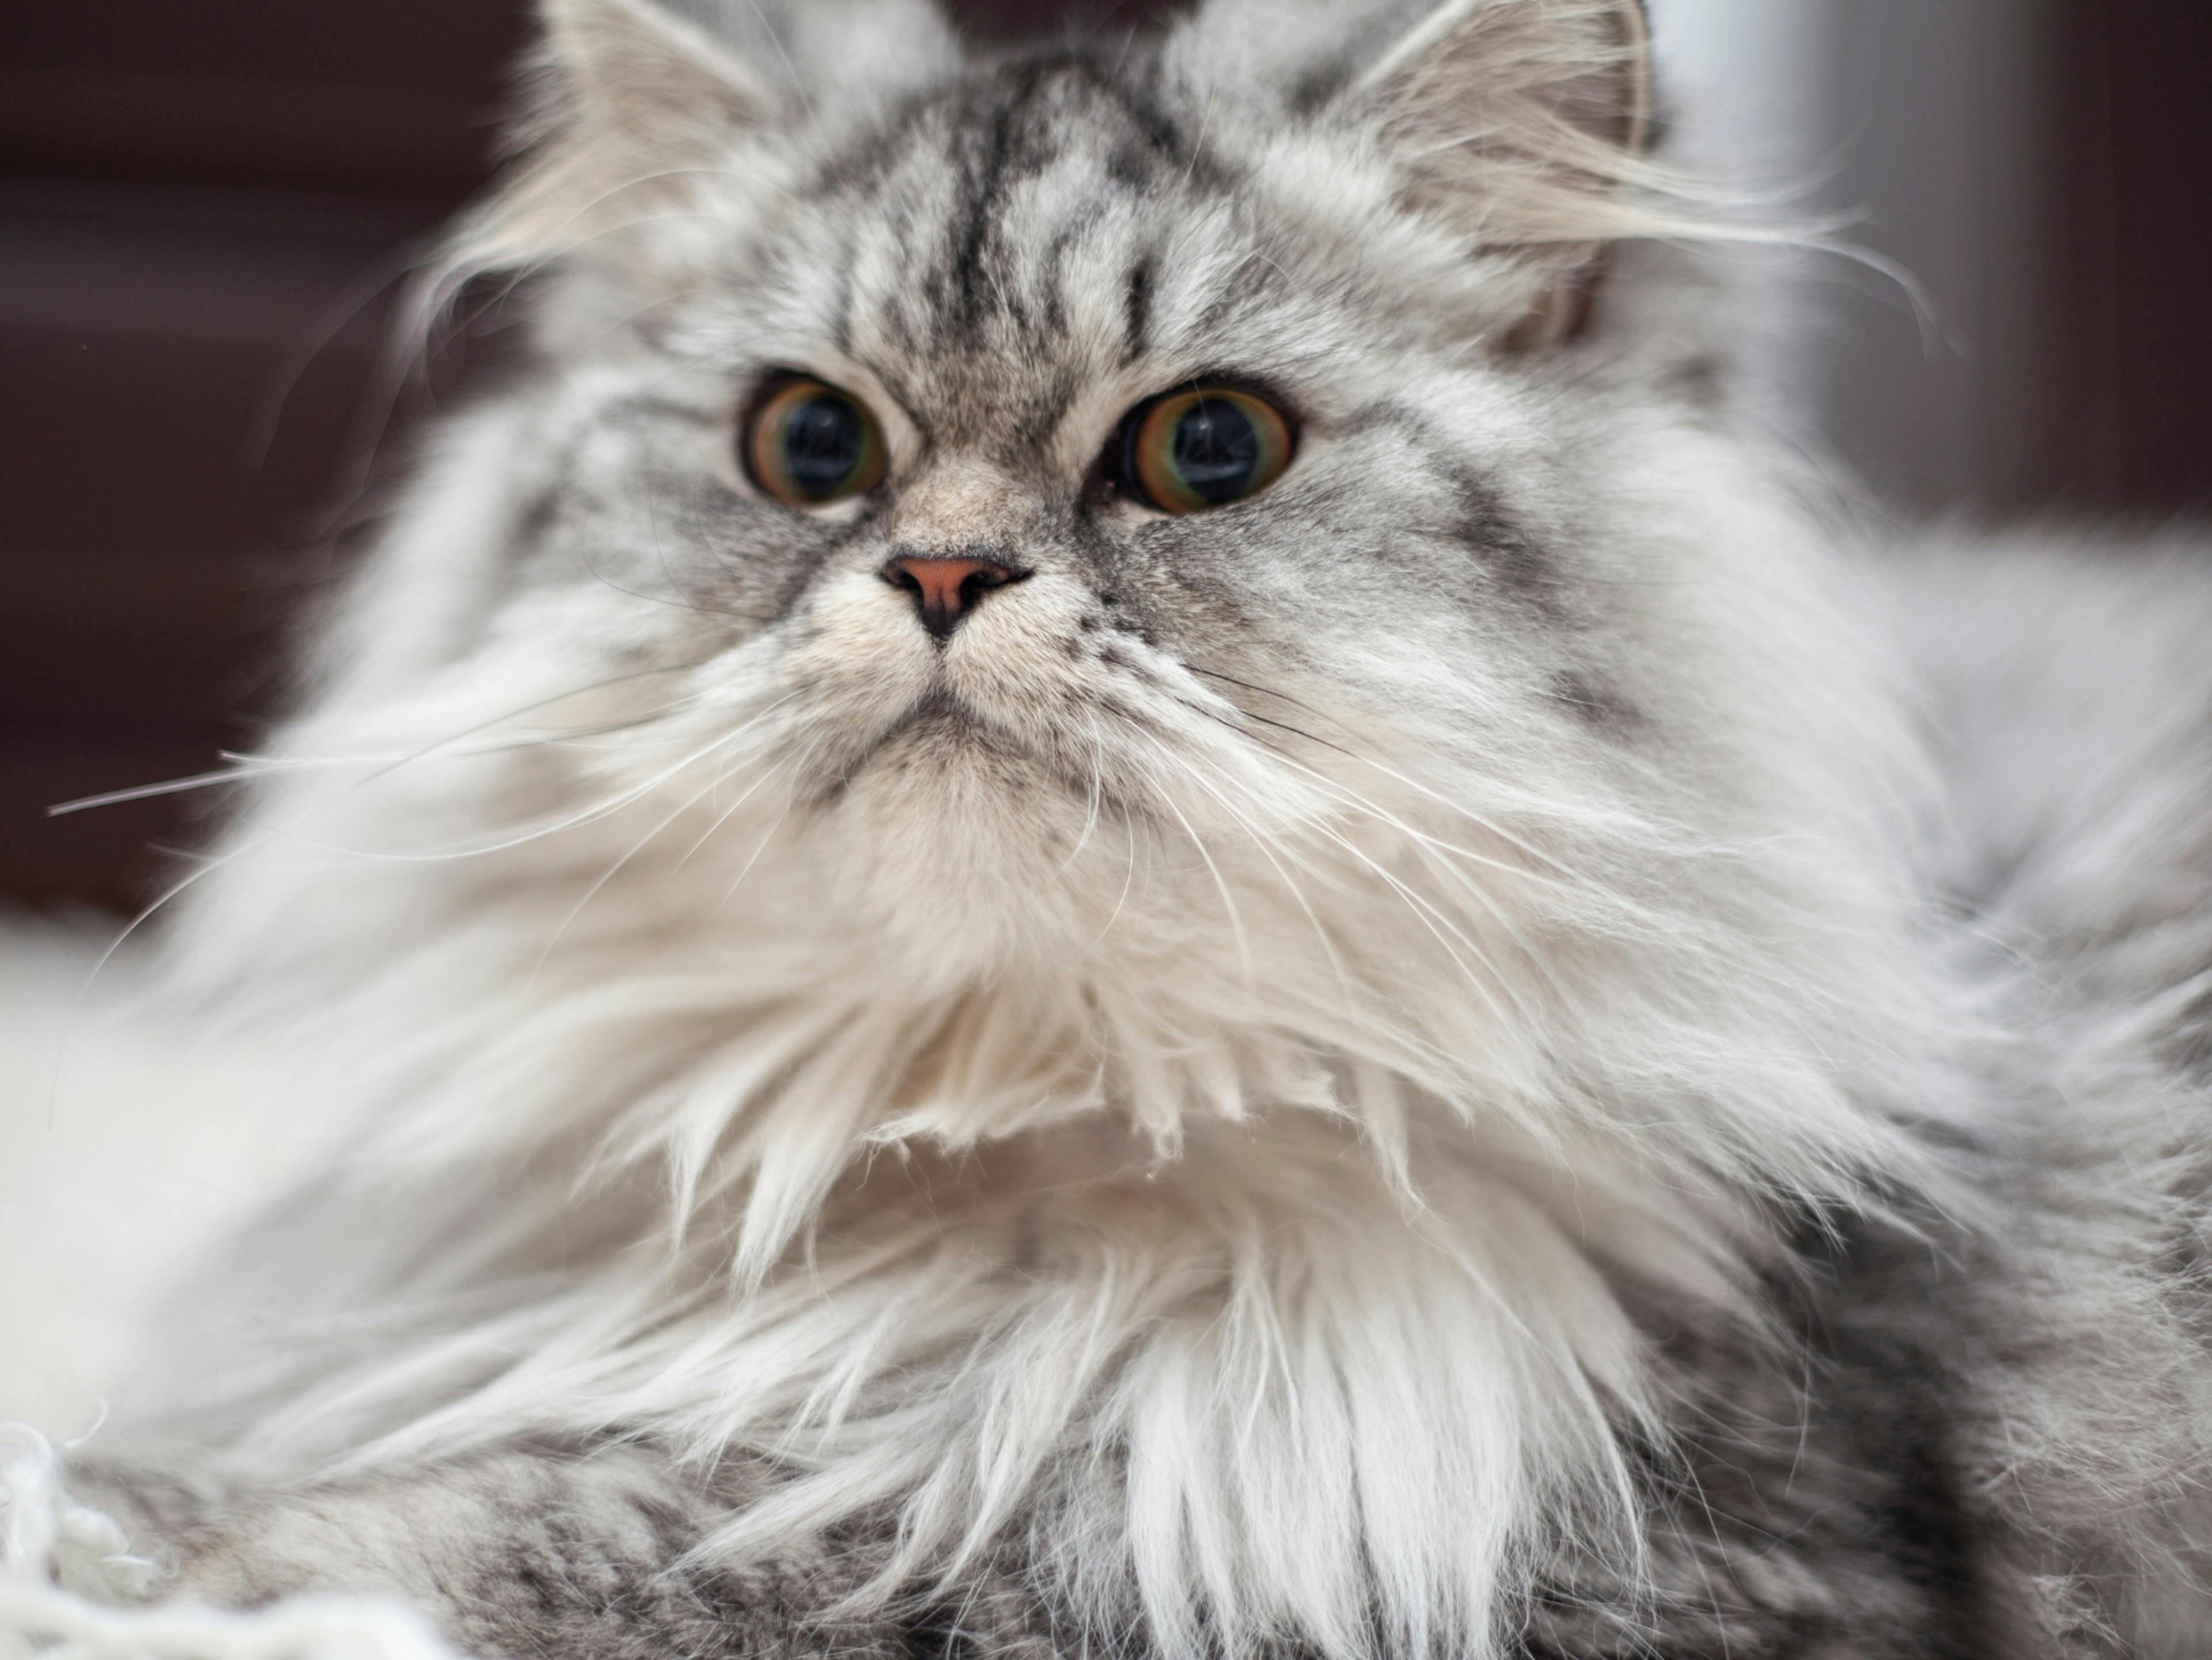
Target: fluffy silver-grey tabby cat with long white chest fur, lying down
column 1116, row 878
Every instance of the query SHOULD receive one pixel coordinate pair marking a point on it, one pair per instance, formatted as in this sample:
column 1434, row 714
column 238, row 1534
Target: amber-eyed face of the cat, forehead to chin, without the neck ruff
column 990, row 661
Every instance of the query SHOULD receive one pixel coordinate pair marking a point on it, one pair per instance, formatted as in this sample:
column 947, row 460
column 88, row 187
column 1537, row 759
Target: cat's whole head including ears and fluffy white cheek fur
column 1176, row 517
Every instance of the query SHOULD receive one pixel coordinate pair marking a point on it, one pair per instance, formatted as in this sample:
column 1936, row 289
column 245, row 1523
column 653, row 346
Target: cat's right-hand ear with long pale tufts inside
column 1523, row 123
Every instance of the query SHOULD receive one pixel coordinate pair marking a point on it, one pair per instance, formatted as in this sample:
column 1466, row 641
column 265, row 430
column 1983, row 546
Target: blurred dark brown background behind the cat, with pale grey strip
column 205, row 207
